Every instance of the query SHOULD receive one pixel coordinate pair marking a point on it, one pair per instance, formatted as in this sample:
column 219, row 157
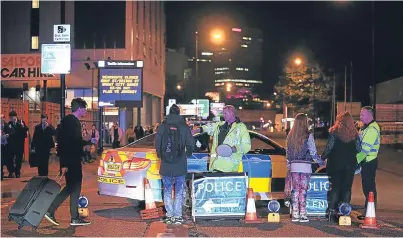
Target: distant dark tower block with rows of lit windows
column 235, row 62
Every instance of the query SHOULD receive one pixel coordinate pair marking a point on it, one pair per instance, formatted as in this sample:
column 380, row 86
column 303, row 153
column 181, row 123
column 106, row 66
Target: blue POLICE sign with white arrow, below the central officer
column 219, row 196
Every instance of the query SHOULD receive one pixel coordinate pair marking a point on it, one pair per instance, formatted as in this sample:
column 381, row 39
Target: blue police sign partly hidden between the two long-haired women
column 316, row 203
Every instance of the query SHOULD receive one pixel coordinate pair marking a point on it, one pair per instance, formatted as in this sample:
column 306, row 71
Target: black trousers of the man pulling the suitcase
column 74, row 177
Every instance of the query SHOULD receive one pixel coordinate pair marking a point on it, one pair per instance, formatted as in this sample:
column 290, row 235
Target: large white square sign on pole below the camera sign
column 56, row 59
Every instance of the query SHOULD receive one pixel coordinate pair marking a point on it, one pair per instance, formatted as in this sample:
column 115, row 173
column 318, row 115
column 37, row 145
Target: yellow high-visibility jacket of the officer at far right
column 370, row 142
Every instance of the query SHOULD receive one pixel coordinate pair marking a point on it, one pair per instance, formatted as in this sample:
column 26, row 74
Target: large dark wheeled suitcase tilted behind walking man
column 34, row 201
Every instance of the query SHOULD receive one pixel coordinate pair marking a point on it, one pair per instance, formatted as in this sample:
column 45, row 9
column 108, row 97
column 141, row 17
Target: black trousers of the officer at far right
column 368, row 174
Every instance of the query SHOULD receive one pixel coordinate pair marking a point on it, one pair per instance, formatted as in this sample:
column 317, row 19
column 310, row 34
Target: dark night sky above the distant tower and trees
column 336, row 32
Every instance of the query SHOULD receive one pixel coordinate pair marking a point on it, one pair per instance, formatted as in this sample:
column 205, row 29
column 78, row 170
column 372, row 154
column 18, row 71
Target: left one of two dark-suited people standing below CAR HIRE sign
column 17, row 134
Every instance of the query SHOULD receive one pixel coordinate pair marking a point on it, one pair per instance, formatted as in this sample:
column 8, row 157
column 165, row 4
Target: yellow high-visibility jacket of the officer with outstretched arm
column 237, row 136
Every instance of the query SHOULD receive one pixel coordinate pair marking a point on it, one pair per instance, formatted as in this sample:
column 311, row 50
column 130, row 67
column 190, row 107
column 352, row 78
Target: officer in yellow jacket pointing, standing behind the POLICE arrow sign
column 231, row 132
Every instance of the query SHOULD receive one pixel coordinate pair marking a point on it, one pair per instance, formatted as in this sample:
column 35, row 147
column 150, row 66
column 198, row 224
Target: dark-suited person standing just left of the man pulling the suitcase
column 42, row 143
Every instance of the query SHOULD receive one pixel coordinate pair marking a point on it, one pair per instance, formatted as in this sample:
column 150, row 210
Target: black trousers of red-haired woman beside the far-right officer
column 340, row 191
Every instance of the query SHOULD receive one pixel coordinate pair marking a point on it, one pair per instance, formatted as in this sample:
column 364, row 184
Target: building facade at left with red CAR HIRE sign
column 115, row 30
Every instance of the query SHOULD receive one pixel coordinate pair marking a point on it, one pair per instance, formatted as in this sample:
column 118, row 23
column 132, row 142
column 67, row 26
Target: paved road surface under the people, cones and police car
column 115, row 217
